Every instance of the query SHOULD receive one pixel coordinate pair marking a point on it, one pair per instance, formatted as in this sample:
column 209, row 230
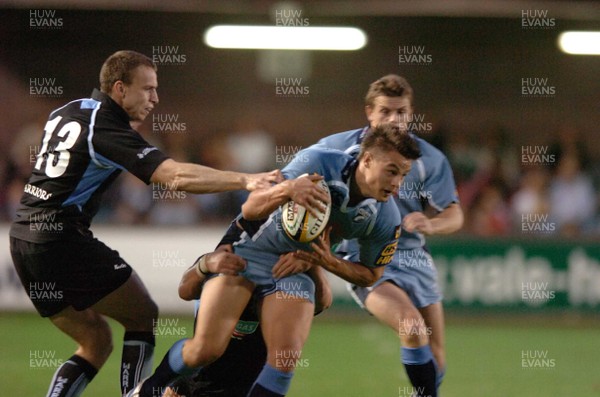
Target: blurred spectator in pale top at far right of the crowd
column 572, row 198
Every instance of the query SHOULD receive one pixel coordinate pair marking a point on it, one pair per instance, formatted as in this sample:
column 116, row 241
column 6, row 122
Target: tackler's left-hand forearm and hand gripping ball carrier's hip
column 223, row 260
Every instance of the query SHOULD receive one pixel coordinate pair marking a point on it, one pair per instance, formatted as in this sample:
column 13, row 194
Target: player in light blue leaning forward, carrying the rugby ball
column 360, row 191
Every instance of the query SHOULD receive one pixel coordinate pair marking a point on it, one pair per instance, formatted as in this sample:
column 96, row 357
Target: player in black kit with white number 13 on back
column 70, row 276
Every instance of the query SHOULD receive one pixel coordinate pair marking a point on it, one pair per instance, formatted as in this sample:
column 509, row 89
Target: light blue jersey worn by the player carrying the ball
column 375, row 225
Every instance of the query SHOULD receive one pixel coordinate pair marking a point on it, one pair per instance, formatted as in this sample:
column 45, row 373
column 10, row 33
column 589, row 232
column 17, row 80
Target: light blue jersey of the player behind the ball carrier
column 430, row 180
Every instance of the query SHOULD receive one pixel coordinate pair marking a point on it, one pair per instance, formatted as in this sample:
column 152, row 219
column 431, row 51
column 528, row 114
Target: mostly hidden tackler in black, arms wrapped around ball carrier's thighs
column 234, row 373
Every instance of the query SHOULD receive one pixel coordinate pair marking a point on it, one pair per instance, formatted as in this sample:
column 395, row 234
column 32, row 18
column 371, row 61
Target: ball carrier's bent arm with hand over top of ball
column 304, row 191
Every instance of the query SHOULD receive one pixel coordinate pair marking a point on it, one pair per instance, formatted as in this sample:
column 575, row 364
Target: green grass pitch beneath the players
column 354, row 358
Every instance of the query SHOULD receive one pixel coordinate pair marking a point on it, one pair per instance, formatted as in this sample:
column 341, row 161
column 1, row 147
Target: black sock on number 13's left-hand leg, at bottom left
column 71, row 377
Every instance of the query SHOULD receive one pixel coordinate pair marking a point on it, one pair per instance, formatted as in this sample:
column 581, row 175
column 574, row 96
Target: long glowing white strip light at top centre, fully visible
column 285, row 37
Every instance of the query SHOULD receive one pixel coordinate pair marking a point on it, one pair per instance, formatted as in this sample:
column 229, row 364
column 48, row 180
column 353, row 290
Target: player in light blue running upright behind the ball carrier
column 407, row 296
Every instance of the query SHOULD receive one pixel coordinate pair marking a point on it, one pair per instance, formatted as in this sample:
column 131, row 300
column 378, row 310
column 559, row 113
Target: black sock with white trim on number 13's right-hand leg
column 136, row 361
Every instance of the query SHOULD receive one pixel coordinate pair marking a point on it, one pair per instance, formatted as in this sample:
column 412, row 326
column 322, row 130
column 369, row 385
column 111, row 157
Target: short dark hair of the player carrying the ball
column 387, row 138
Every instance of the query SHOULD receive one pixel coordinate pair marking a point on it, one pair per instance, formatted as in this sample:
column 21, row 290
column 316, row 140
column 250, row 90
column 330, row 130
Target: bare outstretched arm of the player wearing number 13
column 196, row 178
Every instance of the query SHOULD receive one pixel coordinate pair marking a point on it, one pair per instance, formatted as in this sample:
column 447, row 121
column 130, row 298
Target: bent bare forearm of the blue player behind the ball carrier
column 445, row 222
